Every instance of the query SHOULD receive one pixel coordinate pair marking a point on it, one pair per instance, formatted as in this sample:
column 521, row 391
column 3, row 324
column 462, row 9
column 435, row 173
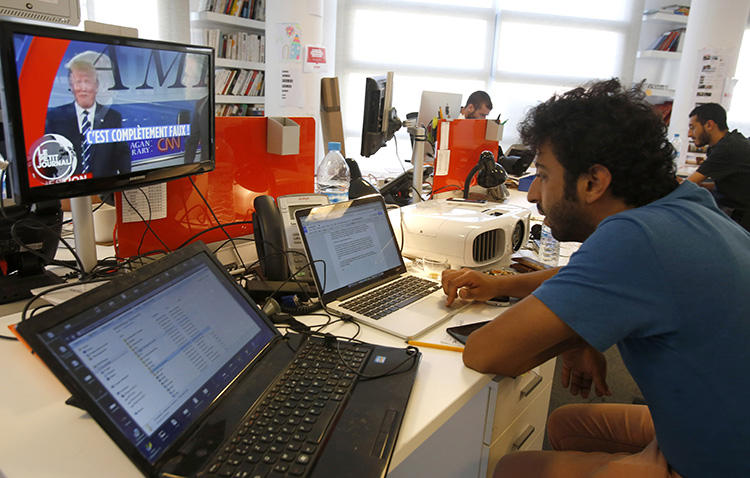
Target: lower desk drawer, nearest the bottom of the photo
column 525, row 433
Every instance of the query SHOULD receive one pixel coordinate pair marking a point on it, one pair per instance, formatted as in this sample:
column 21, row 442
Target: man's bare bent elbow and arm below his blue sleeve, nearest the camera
column 524, row 336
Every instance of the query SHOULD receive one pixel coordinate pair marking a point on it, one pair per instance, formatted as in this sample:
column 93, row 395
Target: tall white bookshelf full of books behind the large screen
column 239, row 44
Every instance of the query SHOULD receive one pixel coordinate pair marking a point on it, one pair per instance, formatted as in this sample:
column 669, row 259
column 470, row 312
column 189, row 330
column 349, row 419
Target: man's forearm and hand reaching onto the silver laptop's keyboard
column 473, row 285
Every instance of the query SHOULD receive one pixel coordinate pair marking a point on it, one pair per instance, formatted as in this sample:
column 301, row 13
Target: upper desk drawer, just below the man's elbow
column 515, row 394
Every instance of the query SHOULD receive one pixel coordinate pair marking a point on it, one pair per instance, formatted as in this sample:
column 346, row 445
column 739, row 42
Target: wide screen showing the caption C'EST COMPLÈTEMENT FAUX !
column 87, row 113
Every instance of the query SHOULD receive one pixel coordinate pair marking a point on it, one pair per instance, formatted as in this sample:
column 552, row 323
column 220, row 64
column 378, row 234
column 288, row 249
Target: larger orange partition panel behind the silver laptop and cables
column 244, row 170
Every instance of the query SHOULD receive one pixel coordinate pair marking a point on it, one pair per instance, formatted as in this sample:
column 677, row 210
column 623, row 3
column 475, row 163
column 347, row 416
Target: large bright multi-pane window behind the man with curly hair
column 519, row 51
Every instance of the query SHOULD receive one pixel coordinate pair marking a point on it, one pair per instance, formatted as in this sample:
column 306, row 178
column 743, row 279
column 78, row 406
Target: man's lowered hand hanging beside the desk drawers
column 580, row 367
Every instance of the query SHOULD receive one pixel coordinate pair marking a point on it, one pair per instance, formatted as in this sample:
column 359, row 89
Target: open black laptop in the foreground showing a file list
column 190, row 378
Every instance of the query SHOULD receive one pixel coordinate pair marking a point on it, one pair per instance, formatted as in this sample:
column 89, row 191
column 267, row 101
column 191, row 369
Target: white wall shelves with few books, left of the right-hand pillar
column 656, row 63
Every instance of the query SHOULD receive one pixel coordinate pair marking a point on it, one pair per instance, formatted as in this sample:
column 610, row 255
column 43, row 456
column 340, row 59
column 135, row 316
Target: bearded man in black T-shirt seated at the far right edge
column 727, row 161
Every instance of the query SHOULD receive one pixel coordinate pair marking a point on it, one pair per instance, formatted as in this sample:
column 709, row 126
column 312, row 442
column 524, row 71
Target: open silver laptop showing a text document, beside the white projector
column 354, row 252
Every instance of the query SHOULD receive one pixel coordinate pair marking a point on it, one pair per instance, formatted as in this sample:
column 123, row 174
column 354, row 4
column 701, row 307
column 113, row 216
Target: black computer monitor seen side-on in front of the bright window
column 379, row 122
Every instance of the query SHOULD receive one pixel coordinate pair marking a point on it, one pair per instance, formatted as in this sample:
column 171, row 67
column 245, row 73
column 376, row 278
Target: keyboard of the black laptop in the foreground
column 285, row 433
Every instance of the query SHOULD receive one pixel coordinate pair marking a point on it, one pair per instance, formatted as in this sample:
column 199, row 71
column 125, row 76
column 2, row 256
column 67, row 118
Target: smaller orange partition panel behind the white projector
column 466, row 141
